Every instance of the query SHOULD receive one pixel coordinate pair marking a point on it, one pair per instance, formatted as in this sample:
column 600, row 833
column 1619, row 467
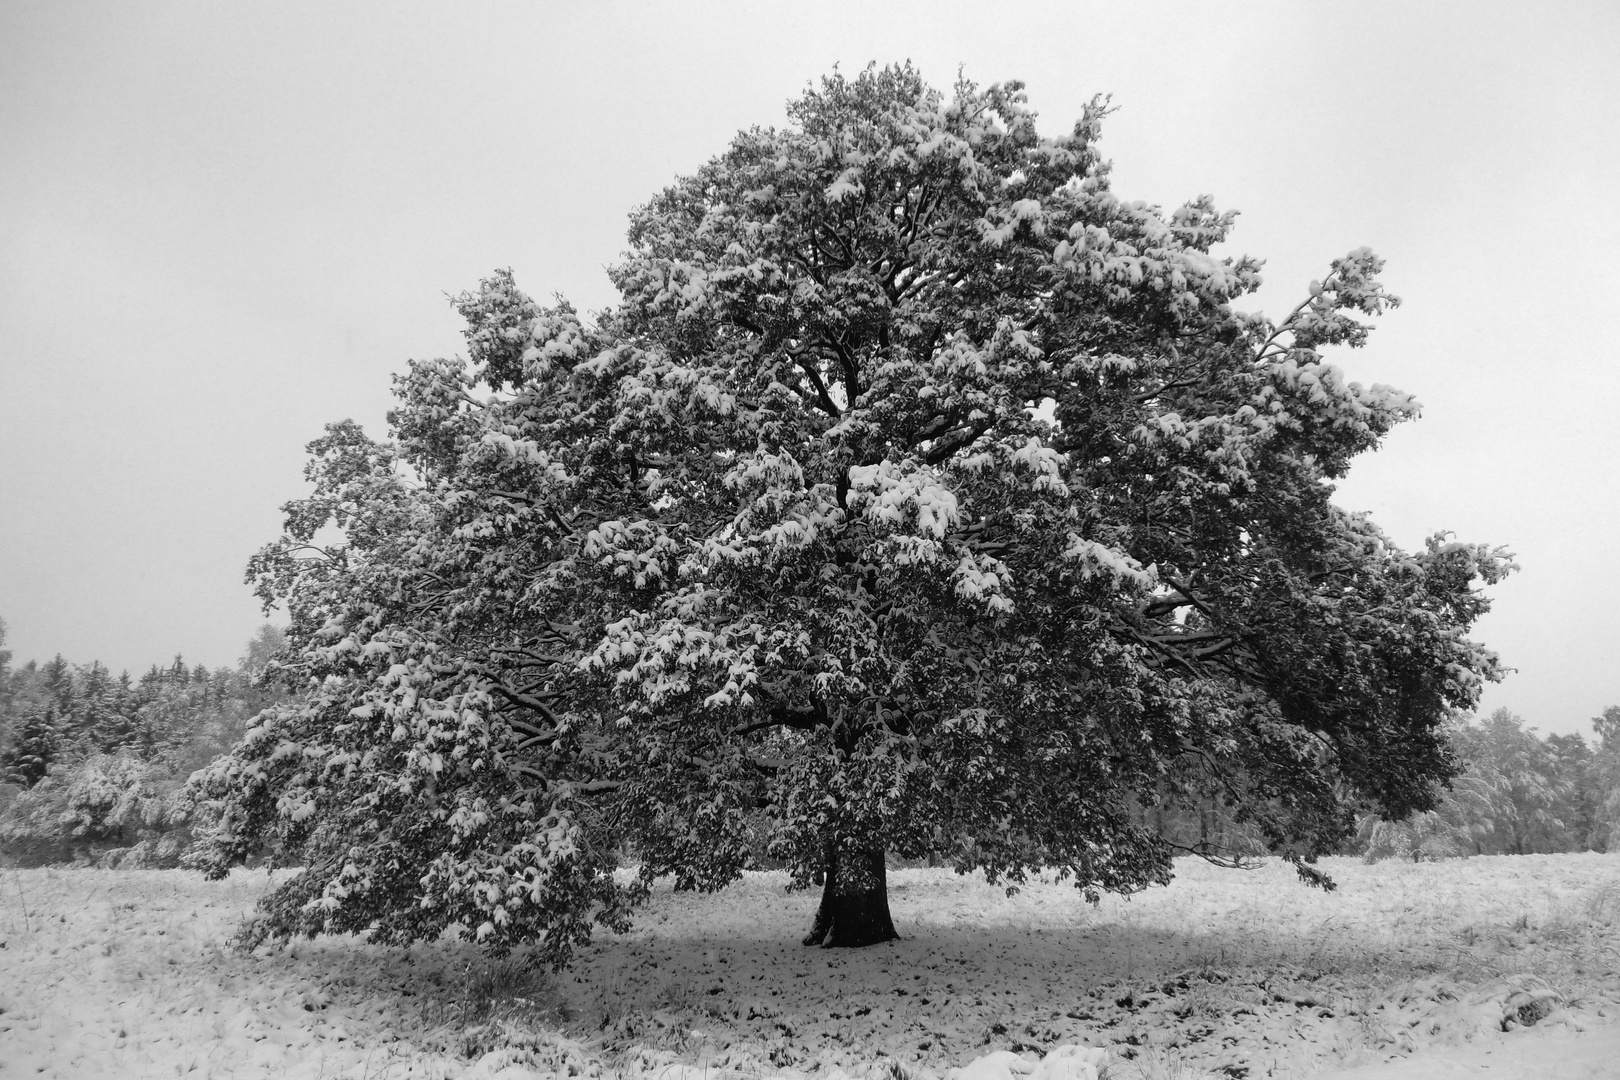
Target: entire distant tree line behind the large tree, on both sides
column 95, row 768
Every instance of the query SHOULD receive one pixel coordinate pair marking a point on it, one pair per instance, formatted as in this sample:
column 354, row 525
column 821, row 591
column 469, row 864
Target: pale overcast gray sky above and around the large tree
column 224, row 226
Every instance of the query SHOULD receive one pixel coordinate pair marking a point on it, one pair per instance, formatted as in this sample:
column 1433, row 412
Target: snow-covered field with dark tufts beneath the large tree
column 1226, row 974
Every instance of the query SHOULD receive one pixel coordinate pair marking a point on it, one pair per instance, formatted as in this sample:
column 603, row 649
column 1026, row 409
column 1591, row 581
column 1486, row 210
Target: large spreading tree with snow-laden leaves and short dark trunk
column 921, row 498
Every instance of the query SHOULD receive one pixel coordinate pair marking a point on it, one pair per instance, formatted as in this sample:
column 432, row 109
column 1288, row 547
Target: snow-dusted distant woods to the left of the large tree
column 95, row 767
